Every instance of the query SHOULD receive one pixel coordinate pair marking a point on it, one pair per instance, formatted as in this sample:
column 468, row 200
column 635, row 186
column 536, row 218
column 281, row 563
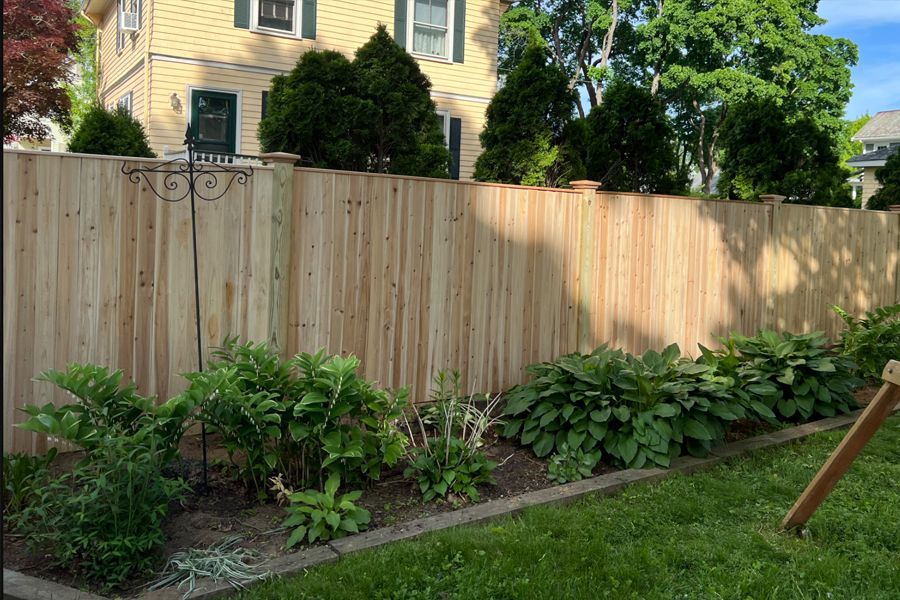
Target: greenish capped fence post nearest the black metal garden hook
column 280, row 265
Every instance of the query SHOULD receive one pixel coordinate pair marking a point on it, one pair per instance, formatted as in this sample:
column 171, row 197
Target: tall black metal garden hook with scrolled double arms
column 186, row 177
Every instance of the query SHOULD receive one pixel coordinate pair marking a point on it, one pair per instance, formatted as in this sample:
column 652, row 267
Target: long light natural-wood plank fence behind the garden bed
column 412, row 275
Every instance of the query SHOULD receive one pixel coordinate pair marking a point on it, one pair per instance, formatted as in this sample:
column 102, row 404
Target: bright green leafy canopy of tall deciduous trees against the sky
column 699, row 57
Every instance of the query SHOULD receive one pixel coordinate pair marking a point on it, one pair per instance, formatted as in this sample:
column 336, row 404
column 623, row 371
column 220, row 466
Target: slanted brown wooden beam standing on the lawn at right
column 841, row 459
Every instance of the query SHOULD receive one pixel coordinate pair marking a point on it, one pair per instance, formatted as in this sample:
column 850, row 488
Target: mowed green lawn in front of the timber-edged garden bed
column 708, row 535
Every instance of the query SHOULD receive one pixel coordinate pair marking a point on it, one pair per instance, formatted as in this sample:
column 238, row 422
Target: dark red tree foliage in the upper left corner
column 38, row 36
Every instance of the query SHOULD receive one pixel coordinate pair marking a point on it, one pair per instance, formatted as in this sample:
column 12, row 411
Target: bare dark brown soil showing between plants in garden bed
column 228, row 510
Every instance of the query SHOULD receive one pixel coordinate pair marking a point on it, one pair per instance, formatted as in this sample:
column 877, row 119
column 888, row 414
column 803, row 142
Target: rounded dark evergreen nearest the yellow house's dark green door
column 315, row 111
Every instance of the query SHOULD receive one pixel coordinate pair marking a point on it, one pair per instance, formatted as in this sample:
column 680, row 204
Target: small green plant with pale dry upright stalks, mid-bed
column 450, row 460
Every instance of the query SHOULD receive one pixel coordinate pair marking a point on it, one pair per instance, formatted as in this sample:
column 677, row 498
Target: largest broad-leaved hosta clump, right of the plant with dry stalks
column 636, row 409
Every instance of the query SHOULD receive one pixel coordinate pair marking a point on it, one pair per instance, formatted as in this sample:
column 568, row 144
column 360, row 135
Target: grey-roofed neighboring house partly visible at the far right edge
column 880, row 138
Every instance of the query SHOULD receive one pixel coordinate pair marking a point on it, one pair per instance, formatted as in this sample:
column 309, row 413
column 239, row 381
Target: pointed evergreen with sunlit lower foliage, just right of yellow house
column 525, row 123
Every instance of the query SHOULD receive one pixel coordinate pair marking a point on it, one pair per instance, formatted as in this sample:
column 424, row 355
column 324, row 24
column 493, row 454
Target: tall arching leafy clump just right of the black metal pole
column 304, row 418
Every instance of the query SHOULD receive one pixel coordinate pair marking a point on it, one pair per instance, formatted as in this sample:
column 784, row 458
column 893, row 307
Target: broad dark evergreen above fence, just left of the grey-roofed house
column 766, row 149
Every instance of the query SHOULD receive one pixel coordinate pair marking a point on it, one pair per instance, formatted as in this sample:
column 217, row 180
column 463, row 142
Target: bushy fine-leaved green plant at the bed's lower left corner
column 104, row 519
